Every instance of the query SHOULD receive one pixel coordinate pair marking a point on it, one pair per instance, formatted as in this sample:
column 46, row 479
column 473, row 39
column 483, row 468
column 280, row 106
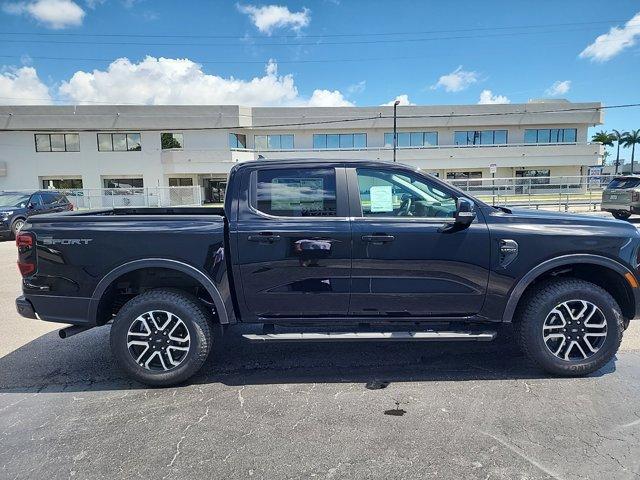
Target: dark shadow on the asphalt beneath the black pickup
column 84, row 363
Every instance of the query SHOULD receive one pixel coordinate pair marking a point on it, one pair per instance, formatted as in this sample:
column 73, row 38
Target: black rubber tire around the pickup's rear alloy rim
column 193, row 315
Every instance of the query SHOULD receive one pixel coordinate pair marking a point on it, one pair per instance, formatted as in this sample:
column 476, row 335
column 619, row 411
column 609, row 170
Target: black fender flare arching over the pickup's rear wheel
column 200, row 277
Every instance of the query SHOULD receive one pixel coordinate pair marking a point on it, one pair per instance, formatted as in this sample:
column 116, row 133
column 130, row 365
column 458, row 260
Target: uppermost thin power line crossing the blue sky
column 325, row 35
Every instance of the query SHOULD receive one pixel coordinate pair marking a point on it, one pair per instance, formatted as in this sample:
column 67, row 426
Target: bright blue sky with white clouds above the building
column 322, row 52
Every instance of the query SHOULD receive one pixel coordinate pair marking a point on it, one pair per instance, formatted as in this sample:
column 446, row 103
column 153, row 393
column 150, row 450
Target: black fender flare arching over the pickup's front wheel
column 576, row 261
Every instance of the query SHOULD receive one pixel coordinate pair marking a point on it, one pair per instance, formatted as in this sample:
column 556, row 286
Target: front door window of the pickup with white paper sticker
column 385, row 193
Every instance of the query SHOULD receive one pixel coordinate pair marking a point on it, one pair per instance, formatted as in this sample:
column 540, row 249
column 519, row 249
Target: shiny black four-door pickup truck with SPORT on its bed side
column 333, row 251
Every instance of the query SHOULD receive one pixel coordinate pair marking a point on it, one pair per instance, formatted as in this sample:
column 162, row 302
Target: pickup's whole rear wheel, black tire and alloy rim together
column 161, row 337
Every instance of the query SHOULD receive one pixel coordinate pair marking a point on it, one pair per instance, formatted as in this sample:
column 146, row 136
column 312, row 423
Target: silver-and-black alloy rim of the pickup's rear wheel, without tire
column 158, row 340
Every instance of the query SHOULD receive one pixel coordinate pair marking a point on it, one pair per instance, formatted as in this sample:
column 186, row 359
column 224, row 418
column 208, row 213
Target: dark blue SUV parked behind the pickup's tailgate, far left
column 16, row 207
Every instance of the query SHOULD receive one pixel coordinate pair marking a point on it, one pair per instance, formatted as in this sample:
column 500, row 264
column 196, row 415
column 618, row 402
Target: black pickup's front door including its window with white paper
column 403, row 263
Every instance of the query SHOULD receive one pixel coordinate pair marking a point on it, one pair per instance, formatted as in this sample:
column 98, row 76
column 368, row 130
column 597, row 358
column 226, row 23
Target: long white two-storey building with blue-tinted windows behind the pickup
column 95, row 147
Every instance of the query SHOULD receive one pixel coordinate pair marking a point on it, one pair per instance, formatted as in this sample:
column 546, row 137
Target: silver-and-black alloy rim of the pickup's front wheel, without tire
column 574, row 330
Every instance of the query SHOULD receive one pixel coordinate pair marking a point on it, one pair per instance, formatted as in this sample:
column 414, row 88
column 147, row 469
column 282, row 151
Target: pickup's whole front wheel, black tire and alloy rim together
column 569, row 327
